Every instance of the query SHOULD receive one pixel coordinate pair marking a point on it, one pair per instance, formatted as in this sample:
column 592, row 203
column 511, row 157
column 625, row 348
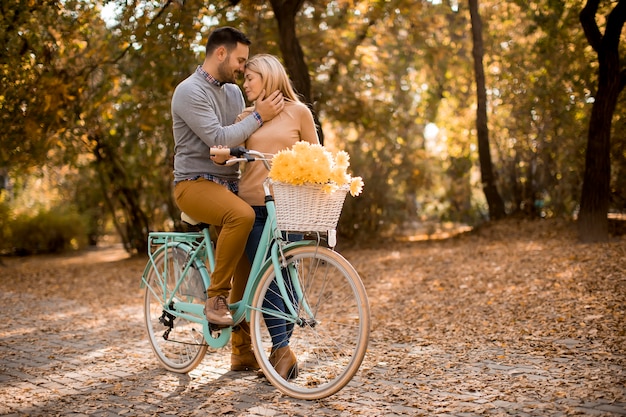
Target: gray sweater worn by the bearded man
column 203, row 115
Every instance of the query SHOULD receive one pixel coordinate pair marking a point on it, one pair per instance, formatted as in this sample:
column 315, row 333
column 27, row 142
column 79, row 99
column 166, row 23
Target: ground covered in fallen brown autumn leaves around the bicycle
column 514, row 318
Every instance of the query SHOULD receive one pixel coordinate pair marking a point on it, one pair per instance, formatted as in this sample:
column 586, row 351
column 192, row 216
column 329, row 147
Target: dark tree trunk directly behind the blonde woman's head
column 285, row 12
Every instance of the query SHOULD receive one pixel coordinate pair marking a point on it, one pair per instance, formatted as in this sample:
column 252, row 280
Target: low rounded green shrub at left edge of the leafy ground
column 53, row 231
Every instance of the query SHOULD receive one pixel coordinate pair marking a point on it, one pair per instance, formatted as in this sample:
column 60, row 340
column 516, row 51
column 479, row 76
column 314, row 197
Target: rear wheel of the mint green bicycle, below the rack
column 178, row 343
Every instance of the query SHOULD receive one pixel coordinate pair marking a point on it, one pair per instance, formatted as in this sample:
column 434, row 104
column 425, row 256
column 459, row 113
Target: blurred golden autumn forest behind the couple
column 86, row 145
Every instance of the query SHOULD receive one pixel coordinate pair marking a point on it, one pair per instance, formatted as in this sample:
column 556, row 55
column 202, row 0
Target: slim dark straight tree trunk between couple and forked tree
column 494, row 200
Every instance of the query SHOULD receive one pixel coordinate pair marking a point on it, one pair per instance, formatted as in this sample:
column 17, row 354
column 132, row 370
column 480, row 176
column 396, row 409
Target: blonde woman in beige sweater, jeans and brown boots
column 294, row 123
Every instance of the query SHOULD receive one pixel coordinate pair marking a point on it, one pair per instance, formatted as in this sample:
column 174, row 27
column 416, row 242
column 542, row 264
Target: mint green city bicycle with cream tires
column 325, row 301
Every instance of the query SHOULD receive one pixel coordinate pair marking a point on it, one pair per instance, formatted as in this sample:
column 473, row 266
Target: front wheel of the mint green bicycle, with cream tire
column 327, row 326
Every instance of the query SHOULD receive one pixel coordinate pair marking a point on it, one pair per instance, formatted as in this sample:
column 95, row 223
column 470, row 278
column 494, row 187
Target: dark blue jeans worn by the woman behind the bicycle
column 280, row 330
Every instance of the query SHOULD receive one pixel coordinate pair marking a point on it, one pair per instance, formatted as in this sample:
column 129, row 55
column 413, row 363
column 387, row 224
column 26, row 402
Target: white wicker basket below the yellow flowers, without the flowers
column 307, row 208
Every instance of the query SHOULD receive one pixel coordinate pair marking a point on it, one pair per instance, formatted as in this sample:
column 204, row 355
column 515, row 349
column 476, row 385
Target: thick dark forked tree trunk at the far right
column 593, row 223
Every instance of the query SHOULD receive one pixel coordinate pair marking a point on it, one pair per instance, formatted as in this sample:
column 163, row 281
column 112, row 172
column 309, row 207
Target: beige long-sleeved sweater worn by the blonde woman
column 294, row 123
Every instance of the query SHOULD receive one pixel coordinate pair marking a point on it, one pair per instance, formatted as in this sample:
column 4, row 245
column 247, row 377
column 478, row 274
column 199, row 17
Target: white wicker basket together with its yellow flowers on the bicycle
column 310, row 186
